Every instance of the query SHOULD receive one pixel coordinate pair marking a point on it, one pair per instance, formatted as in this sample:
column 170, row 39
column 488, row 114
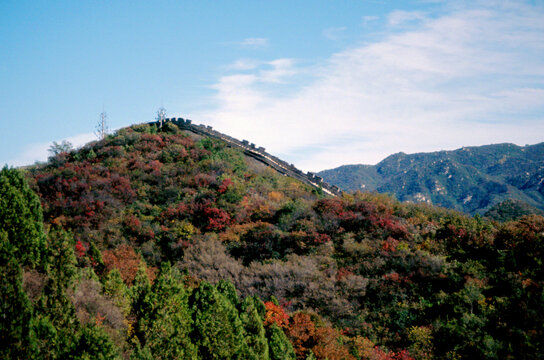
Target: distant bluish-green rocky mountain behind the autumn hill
column 470, row 179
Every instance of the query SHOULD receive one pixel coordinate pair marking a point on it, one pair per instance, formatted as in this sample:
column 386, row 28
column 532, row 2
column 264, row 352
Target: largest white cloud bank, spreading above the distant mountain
column 471, row 76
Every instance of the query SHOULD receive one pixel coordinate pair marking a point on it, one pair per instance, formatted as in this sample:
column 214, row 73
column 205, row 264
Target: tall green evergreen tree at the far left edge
column 21, row 244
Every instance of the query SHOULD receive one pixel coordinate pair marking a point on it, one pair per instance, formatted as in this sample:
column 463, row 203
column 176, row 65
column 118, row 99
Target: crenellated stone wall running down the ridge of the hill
column 258, row 153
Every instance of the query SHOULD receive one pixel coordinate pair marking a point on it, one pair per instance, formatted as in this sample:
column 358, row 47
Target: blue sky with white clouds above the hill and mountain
column 317, row 83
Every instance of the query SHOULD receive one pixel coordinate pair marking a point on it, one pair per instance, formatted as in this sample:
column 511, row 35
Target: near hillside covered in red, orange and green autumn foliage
column 158, row 244
